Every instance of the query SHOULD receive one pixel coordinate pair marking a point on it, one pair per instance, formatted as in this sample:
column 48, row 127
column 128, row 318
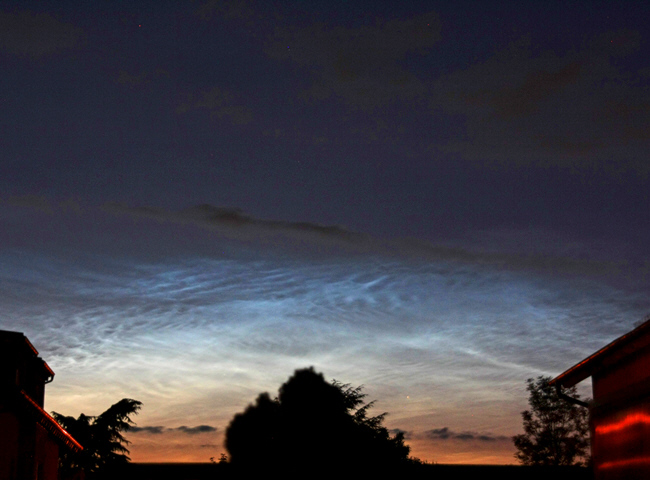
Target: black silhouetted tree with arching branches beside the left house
column 104, row 446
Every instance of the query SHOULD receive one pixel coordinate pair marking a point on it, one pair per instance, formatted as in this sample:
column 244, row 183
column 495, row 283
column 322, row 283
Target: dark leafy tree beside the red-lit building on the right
column 556, row 432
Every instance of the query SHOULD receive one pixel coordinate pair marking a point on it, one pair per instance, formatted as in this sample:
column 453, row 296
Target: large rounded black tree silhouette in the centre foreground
column 313, row 424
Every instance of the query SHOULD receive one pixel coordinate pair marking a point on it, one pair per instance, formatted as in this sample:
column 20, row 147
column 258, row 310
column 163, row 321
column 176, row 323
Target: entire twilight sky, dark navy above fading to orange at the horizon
column 437, row 200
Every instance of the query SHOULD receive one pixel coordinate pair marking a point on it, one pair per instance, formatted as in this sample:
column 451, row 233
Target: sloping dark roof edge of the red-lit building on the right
column 610, row 354
